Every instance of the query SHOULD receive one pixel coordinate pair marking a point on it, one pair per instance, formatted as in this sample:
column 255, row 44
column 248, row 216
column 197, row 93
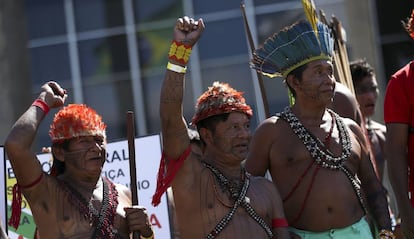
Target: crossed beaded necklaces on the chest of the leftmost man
column 102, row 220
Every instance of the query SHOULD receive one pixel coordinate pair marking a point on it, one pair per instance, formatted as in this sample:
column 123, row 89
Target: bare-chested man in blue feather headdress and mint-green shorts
column 318, row 160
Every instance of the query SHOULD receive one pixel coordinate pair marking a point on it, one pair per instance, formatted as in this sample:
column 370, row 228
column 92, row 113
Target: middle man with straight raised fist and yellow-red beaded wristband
column 214, row 196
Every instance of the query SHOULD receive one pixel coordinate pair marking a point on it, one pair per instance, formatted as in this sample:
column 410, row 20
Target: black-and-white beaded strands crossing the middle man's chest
column 240, row 199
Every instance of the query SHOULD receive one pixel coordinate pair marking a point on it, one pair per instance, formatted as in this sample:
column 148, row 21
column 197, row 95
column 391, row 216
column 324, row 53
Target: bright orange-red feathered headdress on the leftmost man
column 76, row 120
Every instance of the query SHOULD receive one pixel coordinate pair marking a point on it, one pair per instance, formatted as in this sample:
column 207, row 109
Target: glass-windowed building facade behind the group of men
column 112, row 54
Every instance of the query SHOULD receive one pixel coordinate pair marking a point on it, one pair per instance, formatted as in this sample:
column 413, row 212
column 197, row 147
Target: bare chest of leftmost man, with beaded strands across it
column 66, row 216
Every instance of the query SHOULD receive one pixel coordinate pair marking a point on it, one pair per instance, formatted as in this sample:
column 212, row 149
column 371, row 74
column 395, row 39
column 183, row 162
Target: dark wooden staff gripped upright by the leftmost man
column 132, row 165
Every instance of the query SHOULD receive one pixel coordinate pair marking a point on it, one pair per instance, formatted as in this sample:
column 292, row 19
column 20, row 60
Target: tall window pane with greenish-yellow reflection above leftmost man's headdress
column 106, row 81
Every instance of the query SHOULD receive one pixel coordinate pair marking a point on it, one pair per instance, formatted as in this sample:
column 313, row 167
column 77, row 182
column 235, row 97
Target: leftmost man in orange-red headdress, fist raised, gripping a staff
column 76, row 202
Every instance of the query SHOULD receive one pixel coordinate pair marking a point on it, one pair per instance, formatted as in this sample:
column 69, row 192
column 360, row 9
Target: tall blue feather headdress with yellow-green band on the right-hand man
column 293, row 47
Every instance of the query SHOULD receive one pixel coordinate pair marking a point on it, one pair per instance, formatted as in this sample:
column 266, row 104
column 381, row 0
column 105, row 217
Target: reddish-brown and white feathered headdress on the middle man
column 220, row 98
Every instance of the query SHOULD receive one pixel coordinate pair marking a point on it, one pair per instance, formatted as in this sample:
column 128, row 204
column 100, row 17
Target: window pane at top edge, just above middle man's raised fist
column 157, row 10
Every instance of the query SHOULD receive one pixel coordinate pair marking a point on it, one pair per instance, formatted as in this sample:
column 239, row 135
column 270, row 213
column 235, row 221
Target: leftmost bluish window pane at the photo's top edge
column 45, row 18
